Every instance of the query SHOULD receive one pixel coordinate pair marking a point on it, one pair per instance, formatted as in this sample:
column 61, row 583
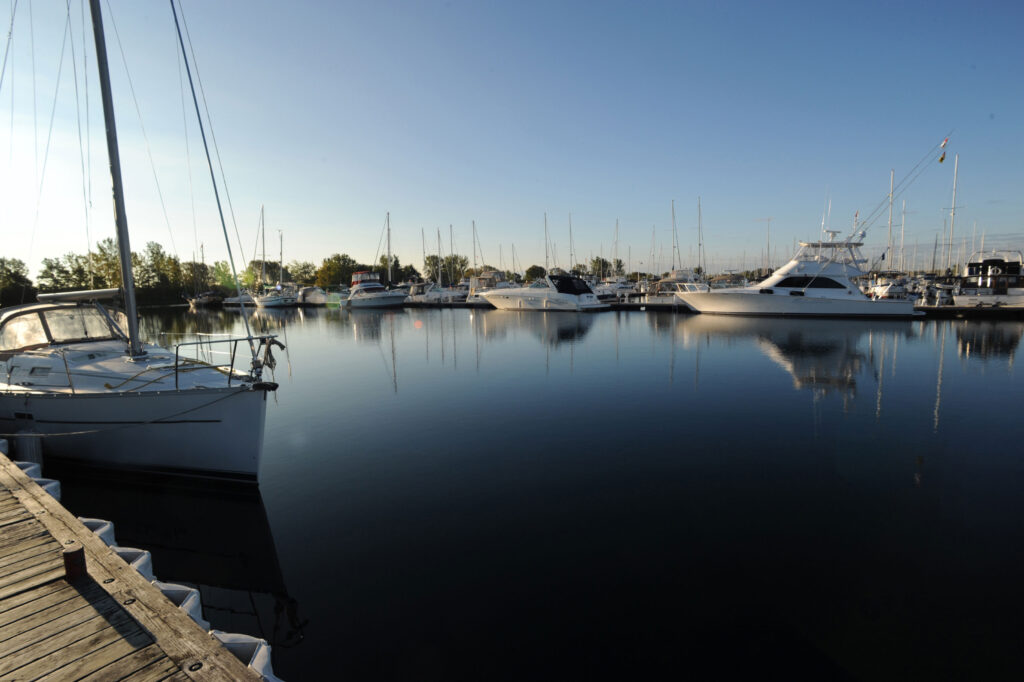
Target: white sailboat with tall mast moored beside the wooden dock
column 75, row 374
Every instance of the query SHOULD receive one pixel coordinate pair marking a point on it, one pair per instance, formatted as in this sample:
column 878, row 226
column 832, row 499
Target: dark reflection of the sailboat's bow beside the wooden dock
column 214, row 538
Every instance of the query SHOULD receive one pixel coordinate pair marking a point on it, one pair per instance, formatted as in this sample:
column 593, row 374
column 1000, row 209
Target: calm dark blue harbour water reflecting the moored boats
column 455, row 494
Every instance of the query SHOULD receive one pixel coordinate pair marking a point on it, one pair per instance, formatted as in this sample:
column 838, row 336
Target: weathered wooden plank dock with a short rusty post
column 108, row 624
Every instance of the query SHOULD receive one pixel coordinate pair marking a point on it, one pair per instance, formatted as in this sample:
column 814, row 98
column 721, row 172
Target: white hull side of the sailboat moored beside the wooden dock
column 215, row 433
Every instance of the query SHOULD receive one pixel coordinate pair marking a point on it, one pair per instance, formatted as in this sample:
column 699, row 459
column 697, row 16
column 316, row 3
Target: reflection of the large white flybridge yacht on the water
column 823, row 356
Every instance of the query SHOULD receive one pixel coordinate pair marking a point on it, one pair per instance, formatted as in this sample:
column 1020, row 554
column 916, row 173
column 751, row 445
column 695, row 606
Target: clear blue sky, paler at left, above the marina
column 332, row 114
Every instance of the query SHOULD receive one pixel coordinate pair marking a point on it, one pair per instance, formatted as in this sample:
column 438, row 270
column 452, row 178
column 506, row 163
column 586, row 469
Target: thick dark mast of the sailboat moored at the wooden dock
column 120, row 220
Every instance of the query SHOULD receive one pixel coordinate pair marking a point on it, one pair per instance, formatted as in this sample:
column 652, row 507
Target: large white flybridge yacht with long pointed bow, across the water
column 817, row 283
